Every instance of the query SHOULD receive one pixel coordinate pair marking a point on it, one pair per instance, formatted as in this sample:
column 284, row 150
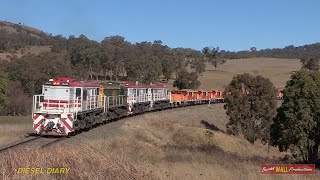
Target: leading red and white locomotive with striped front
column 55, row 111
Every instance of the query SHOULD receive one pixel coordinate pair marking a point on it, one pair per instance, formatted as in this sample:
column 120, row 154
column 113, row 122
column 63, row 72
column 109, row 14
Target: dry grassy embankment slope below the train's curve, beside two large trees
column 176, row 144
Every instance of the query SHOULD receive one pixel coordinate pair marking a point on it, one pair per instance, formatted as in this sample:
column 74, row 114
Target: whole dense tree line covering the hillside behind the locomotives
column 114, row 58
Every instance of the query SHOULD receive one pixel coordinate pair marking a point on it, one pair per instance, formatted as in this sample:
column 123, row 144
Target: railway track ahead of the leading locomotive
column 32, row 142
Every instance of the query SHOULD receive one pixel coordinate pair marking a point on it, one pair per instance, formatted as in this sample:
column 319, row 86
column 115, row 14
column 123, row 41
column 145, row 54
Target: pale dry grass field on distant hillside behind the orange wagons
column 277, row 70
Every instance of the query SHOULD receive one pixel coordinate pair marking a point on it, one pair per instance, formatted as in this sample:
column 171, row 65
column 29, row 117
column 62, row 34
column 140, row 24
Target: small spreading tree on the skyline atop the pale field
column 214, row 56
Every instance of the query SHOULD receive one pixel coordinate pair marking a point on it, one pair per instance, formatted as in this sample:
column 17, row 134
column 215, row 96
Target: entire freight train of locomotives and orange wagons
column 67, row 106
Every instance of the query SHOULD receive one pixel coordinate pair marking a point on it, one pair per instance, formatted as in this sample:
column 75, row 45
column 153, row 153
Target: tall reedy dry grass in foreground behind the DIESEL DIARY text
column 85, row 162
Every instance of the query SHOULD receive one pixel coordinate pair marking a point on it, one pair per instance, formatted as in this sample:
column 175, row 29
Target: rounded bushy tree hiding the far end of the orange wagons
column 251, row 106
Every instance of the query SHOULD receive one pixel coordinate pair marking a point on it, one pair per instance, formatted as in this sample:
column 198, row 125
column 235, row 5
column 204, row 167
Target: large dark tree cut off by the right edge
column 297, row 125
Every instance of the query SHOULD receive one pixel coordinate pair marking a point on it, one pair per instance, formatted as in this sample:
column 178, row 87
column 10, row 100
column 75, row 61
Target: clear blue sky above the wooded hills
column 229, row 24
